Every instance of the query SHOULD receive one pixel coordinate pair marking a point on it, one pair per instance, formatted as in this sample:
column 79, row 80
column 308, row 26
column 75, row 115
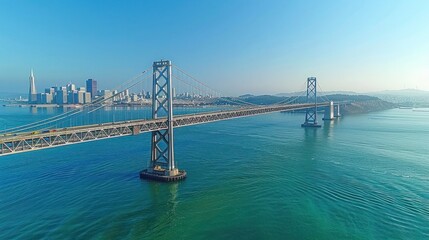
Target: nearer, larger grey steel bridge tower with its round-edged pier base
column 162, row 165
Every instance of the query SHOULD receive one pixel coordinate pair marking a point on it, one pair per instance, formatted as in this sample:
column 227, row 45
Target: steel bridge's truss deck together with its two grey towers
column 162, row 164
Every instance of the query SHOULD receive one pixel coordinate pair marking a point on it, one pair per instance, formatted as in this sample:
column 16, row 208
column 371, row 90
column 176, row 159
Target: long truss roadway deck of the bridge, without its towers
column 23, row 142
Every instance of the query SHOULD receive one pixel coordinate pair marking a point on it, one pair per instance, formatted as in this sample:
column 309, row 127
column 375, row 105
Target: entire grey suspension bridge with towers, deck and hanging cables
column 83, row 124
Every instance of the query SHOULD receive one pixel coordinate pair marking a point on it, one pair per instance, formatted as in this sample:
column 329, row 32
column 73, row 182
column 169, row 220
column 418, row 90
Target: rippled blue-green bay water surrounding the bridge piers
column 263, row 177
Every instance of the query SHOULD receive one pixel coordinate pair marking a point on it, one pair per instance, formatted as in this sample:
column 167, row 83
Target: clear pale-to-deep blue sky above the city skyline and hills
column 235, row 46
